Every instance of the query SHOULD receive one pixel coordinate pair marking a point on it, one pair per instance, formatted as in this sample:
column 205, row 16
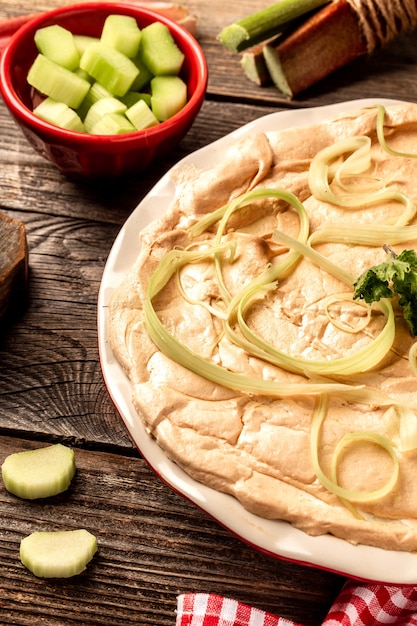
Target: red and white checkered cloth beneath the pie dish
column 358, row 604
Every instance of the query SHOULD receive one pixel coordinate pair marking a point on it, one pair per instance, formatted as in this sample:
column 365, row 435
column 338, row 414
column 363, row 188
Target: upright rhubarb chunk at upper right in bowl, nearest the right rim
column 159, row 51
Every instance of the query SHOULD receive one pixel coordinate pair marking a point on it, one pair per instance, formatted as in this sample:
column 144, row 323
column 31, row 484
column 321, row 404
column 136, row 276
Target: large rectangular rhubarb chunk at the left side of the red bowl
column 57, row 82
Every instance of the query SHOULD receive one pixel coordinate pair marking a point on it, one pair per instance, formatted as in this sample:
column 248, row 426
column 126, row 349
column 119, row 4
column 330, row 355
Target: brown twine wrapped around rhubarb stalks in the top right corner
column 382, row 20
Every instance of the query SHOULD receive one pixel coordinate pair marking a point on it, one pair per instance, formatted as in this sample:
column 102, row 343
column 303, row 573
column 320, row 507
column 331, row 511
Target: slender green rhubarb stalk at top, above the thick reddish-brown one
column 266, row 23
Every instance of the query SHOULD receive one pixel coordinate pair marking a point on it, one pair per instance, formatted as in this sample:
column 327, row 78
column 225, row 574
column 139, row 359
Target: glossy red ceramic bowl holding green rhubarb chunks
column 91, row 156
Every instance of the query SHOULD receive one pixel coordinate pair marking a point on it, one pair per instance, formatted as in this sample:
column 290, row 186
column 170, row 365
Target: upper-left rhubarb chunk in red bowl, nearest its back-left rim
column 57, row 44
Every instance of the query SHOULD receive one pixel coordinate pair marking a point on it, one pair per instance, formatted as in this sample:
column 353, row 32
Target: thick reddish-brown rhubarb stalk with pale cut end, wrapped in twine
column 334, row 36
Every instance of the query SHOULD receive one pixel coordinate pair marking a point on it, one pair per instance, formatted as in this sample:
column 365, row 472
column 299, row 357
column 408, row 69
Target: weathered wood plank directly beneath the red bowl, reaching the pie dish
column 29, row 182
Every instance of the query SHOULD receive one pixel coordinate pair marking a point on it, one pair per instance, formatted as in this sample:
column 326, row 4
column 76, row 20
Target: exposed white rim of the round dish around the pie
column 276, row 538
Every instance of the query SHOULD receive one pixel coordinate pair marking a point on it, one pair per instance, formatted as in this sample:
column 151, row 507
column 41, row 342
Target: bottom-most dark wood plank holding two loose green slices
column 153, row 545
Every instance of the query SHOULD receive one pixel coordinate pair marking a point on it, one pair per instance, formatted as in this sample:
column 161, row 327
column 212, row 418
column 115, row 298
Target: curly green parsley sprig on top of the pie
column 397, row 276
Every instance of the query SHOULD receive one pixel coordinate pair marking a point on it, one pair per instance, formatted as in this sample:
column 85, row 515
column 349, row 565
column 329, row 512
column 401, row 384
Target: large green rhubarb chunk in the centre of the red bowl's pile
column 112, row 69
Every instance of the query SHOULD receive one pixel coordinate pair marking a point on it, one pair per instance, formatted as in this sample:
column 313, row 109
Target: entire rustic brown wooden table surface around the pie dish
column 154, row 545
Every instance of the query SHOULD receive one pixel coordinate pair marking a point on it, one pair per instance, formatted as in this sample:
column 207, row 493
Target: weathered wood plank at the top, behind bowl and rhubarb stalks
column 384, row 74
